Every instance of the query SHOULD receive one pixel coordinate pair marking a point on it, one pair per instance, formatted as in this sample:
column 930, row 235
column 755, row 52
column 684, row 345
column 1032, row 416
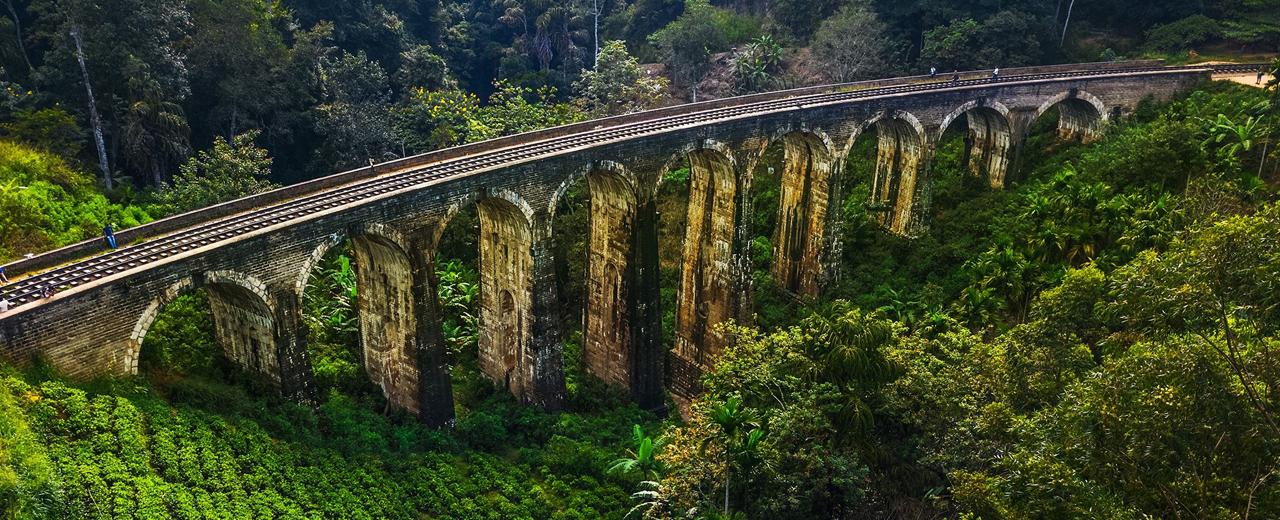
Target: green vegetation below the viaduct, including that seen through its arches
column 1094, row 341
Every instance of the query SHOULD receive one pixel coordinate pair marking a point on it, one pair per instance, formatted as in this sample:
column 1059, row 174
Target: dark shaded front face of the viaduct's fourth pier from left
column 644, row 307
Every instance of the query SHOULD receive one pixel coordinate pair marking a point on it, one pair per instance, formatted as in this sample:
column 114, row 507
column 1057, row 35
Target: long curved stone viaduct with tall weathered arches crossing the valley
column 255, row 277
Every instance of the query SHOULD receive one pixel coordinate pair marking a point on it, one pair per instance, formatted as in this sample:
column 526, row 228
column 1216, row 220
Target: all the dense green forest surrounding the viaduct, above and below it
column 1092, row 341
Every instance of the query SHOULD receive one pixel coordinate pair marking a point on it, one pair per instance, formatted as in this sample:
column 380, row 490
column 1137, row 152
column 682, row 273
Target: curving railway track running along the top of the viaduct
column 29, row 290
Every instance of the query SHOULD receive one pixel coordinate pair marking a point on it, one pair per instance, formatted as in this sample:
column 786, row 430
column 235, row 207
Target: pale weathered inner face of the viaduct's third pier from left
column 506, row 268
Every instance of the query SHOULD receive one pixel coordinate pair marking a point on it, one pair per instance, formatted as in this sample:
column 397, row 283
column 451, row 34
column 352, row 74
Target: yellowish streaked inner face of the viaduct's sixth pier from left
column 799, row 235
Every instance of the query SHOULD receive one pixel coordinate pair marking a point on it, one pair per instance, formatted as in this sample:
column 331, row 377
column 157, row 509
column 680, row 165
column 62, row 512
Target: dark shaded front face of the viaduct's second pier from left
column 435, row 382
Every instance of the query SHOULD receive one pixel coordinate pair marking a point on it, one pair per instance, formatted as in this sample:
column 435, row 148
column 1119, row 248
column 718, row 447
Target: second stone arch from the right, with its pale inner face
column 990, row 139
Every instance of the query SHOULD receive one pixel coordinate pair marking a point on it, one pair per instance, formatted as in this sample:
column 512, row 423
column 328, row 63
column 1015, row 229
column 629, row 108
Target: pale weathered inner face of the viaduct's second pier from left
column 388, row 330
